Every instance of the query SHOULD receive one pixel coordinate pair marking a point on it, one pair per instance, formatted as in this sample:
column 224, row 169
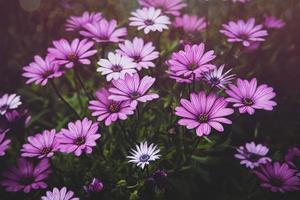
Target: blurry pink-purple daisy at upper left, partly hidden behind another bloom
column 77, row 22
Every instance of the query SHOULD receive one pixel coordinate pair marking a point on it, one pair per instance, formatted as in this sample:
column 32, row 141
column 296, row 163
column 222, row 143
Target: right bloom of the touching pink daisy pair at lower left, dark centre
column 80, row 137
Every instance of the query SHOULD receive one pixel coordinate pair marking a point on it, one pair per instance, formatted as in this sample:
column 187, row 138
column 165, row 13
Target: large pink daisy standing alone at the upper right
column 244, row 32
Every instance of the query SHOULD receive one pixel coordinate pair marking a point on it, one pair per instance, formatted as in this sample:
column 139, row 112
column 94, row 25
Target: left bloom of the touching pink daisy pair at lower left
column 41, row 145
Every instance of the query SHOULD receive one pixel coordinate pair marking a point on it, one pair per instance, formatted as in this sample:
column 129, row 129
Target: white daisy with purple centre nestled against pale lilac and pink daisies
column 116, row 66
